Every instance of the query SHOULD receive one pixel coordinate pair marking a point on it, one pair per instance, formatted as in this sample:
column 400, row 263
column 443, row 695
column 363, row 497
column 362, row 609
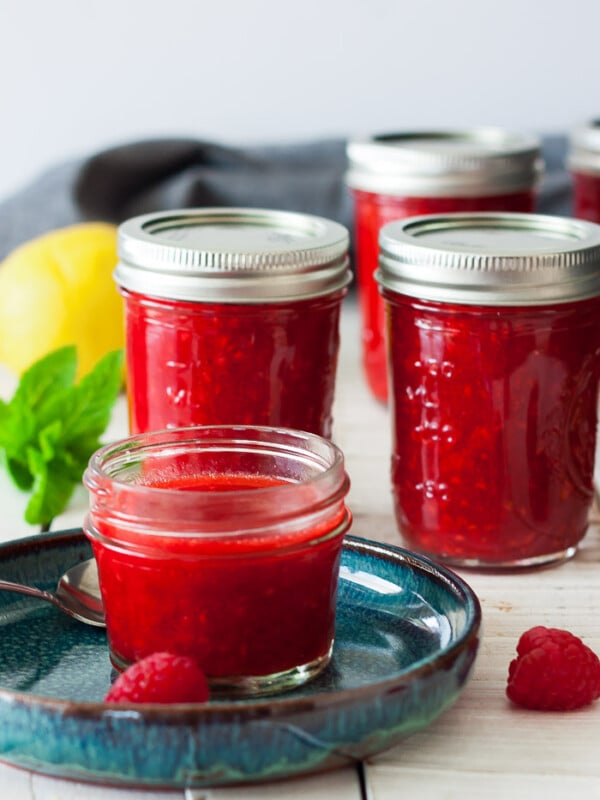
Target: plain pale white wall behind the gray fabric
column 78, row 75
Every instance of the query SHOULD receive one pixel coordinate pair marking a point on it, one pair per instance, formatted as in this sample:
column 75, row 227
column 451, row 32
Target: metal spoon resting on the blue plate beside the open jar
column 77, row 593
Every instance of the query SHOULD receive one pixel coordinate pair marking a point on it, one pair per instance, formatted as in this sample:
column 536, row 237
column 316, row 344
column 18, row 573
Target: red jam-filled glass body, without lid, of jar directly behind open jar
column 193, row 363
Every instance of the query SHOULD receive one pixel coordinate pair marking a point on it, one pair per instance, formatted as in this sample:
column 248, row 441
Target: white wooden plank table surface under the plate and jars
column 482, row 747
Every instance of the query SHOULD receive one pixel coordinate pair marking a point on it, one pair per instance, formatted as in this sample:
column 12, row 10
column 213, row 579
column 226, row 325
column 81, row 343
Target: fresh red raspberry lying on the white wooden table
column 554, row 671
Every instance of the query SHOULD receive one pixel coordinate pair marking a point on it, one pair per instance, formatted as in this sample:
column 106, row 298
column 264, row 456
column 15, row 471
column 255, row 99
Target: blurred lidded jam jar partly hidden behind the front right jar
column 407, row 174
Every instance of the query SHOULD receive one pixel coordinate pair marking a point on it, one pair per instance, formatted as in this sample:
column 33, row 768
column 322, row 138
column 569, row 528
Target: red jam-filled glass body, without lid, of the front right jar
column 494, row 414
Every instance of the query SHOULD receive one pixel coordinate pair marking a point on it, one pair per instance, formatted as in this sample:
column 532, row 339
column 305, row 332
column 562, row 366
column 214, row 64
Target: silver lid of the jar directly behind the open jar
column 232, row 255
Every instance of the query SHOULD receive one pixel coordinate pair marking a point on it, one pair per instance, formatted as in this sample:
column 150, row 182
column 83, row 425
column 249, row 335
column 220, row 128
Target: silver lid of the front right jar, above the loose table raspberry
column 491, row 259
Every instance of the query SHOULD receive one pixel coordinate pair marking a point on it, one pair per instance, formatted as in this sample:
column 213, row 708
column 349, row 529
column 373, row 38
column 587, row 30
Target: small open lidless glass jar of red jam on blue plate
column 221, row 543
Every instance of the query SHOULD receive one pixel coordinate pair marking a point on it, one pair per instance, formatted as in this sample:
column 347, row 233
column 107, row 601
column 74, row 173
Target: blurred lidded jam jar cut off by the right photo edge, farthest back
column 583, row 161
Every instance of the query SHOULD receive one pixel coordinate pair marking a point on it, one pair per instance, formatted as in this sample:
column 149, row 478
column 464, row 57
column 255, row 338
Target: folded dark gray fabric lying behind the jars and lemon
column 150, row 175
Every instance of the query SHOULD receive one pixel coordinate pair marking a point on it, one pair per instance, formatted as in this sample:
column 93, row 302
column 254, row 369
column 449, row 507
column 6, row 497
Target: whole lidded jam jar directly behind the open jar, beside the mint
column 232, row 317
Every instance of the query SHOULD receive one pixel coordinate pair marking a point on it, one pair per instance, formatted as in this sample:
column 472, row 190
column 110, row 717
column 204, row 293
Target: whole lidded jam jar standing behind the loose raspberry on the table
column 494, row 347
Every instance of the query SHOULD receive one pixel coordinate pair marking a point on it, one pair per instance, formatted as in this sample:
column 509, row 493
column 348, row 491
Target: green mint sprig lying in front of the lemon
column 51, row 426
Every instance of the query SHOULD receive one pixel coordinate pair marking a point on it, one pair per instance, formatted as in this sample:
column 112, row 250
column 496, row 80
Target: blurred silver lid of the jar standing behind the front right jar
column 467, row 163
